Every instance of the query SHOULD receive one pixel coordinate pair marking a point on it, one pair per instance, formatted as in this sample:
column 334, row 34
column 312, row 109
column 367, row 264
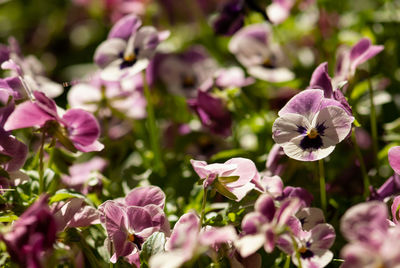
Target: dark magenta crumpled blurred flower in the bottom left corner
column 31, row 235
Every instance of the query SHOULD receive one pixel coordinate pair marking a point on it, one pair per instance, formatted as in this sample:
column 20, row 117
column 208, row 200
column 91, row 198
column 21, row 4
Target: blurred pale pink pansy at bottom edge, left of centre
column 187, row 241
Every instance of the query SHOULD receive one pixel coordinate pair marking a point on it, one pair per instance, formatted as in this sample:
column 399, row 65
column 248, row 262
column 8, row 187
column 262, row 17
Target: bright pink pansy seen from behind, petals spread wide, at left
column 76, row 129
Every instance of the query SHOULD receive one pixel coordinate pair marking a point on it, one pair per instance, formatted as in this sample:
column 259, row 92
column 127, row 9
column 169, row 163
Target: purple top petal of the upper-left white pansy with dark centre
column 125, row 27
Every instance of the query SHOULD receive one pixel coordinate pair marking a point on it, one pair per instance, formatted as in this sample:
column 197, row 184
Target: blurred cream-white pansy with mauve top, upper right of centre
column 254, row 48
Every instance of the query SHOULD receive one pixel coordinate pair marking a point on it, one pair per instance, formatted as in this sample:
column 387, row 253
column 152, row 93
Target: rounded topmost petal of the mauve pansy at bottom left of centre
column 146, row 195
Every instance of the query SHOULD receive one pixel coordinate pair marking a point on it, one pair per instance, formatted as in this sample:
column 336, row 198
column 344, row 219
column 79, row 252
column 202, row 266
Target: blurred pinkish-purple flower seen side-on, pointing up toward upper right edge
column 349, row 59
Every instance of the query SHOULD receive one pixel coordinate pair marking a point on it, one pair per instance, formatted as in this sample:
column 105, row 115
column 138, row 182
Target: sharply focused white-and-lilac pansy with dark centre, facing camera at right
column 309, row 126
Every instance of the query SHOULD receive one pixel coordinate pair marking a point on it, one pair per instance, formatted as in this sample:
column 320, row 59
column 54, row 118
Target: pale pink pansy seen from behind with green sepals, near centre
column 233, row 179
